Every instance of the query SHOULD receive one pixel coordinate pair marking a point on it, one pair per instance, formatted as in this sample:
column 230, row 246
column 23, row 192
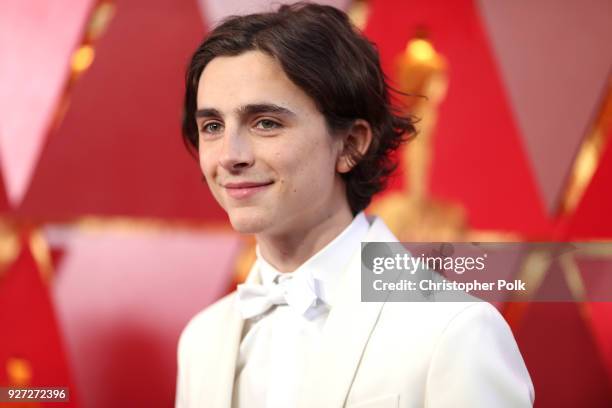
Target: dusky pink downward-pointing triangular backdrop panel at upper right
column 555, row 58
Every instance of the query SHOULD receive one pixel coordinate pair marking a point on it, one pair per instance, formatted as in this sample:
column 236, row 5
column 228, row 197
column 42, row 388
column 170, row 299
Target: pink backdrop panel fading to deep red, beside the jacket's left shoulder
column 122, row 298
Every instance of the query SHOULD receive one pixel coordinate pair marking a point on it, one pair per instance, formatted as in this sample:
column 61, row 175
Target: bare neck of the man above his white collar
column 287, row 252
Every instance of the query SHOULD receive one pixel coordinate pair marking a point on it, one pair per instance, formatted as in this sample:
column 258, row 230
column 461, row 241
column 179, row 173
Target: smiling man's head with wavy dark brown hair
column 294, row 99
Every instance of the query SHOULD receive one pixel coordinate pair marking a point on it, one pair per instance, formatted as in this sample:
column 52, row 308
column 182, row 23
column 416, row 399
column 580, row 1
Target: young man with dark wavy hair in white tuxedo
column 290, row 115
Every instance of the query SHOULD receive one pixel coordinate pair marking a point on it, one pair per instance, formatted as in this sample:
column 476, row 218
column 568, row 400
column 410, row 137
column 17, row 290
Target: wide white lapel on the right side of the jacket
column 345, row 335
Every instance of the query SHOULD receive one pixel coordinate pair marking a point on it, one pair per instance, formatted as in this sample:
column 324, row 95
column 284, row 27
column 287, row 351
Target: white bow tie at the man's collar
column 298, row 292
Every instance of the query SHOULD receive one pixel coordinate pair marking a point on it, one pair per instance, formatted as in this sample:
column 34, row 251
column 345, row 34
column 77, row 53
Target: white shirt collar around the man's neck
column 325, row 267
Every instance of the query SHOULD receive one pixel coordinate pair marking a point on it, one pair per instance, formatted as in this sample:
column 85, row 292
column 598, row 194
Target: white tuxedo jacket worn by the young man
column 383, row 355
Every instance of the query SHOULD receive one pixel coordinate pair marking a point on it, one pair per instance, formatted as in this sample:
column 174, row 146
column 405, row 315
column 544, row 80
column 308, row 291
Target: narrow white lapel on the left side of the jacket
column 223, row 356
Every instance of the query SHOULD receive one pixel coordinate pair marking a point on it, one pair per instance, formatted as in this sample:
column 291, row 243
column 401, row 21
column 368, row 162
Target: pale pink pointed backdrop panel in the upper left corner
column 37, row 38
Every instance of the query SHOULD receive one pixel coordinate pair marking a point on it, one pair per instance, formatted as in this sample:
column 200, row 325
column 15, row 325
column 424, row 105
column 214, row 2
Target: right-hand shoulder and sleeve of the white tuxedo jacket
column 477, row 362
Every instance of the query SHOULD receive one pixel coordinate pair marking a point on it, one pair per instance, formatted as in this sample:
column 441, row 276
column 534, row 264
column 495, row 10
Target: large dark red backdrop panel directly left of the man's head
column 119, row 149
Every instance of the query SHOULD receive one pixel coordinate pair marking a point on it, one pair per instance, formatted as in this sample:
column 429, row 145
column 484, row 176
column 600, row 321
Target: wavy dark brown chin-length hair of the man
column 328, row 58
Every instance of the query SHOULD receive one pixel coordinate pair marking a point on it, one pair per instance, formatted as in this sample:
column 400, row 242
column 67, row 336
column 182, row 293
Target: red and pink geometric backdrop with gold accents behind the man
column 110, row 242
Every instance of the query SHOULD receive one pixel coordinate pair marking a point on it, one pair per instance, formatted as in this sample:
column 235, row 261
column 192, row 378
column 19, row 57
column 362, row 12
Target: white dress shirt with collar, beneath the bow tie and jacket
column 275, row 347
